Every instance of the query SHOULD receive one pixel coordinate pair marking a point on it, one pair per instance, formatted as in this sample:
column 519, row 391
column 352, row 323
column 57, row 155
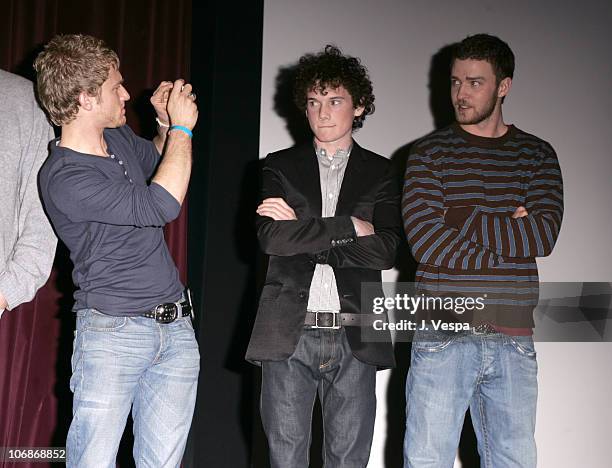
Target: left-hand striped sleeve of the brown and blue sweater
column 431, row 240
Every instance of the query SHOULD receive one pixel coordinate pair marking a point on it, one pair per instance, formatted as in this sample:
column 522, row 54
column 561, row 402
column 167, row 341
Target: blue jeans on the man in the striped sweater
column 494, row 375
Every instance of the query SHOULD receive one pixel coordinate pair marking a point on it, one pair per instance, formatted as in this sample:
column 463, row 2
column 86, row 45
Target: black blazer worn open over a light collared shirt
column 369, row 191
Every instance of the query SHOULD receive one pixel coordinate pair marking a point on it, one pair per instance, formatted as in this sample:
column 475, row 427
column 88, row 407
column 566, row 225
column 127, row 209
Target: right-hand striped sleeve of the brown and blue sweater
column 533, row 235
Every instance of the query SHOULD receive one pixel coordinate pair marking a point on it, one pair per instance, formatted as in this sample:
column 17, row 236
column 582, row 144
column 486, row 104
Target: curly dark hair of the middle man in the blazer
column 331, row 69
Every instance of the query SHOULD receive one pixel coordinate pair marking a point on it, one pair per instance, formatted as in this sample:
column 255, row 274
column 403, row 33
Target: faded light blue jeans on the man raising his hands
column 123, row 363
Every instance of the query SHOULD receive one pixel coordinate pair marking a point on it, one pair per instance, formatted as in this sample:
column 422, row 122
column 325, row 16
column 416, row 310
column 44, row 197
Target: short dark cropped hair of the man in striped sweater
column 489, row 48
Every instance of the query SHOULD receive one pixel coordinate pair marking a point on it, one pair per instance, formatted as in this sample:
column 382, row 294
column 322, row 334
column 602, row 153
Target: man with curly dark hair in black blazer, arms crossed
column 329, row 220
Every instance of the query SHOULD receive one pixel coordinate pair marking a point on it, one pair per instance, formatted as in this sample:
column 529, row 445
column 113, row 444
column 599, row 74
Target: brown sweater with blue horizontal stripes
column 460, row 192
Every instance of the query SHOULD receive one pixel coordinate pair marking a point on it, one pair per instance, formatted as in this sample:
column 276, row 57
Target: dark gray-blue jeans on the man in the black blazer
column 322, row 362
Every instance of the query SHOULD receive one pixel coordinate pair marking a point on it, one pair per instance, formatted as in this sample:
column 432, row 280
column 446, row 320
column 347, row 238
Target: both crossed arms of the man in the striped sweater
column 467, row 237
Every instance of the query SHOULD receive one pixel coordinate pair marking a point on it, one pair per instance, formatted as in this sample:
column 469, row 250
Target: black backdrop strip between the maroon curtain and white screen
column 223, row 252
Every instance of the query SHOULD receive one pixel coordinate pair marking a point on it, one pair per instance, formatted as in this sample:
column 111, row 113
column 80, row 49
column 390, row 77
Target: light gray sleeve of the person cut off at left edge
column 29, row 265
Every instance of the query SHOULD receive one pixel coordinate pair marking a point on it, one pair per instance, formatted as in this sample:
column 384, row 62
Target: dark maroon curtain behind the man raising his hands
column 152, row 39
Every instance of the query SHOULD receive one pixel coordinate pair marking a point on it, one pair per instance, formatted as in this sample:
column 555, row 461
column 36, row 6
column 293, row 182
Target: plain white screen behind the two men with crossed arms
column 561, row 92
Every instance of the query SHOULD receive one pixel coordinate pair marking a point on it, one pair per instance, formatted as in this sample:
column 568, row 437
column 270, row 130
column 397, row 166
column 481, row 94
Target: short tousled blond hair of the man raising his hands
column 69, row 64
